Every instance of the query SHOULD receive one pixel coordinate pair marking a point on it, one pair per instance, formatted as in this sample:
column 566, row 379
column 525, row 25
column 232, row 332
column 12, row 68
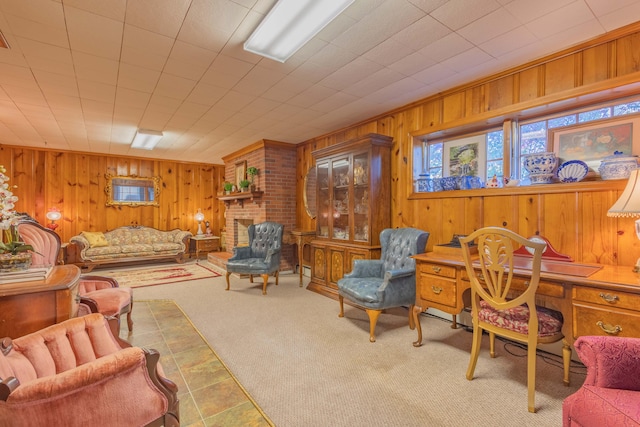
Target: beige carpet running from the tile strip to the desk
column 305, row 366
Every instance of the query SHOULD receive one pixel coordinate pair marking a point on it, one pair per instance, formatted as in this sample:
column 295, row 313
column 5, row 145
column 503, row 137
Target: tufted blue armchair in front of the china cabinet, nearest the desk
column 387, row 282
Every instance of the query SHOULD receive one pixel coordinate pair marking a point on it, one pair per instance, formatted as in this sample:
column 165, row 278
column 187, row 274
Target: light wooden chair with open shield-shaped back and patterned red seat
column 493, row 308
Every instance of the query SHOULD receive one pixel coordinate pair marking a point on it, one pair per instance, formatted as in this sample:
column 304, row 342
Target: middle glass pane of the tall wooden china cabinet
column 340, row 198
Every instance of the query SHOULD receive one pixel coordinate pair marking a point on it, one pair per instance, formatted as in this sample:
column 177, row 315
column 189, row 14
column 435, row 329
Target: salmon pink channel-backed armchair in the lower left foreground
column 76, row 373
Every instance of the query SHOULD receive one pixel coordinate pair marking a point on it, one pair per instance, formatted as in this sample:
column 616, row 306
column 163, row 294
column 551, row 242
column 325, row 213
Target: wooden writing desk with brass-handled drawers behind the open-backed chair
column 605, row 303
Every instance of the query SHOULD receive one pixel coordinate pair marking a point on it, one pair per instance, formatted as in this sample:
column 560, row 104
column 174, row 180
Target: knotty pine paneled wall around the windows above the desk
column 574, row 220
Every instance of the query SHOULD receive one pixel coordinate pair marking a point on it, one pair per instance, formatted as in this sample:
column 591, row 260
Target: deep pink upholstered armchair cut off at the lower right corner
column 610, row 395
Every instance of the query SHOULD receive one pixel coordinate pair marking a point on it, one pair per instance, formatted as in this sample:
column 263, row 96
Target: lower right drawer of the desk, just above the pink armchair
column 599, row 320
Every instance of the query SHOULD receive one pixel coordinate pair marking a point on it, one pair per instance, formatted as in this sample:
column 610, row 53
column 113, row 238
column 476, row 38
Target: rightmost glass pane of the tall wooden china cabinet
column 361, row 197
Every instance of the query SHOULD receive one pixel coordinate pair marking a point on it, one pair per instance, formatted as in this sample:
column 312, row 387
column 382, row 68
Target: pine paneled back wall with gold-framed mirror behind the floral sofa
column 75, row 183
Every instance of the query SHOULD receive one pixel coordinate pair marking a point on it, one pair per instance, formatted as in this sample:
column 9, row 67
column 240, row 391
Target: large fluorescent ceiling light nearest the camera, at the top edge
column 290, row 24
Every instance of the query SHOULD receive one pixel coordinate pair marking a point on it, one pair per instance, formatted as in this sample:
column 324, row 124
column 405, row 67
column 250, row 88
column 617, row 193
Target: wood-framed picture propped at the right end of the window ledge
column 591, row 142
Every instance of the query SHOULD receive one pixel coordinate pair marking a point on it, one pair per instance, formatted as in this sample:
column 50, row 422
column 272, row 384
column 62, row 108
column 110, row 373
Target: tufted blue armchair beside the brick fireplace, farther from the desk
column 262, row 256
